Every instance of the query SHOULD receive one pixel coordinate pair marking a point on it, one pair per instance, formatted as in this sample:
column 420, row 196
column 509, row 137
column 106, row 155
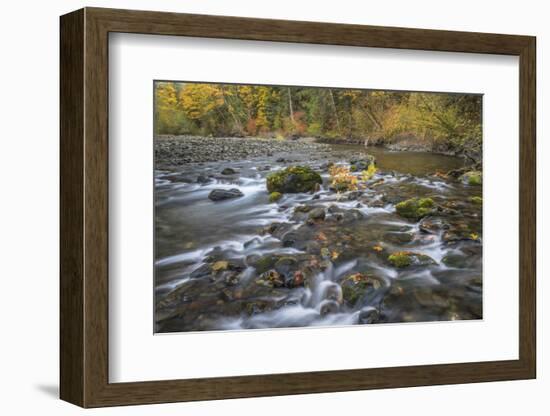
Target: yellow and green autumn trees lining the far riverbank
column 445, row 121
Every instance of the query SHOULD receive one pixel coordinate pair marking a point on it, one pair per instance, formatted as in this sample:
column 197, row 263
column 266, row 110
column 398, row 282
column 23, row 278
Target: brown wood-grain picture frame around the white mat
column 84, row 207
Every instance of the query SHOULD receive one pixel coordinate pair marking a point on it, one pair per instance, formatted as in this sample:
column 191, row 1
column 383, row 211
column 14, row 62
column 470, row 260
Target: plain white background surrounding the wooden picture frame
column 29, row 158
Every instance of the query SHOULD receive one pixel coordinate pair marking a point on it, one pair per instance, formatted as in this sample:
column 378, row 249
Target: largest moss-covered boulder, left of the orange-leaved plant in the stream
column 294, row 179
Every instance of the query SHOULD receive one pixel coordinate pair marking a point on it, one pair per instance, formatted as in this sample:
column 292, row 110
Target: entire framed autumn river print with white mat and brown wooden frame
column 260, row 207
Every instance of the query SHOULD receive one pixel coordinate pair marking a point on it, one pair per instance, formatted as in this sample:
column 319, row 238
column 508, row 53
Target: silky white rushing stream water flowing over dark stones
column 212, row 257
